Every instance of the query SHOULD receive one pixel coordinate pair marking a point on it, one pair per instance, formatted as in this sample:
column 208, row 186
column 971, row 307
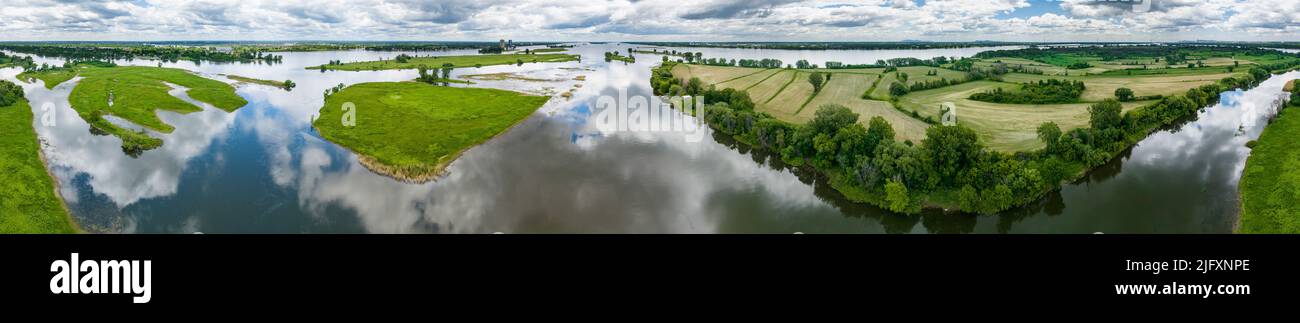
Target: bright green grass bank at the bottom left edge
column 29, row 203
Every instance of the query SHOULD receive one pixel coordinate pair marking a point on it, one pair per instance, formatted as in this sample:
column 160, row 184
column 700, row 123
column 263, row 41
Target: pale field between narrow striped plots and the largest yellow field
column 847, row 91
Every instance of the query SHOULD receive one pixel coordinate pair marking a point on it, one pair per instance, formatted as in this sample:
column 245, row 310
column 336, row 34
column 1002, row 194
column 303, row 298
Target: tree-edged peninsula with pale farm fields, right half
column 996, row 157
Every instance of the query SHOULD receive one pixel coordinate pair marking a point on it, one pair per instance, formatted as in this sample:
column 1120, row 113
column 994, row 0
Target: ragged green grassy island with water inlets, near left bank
column 136, row 94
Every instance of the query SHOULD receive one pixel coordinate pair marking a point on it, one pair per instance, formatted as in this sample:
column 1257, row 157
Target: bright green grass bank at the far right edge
column 1271, row 184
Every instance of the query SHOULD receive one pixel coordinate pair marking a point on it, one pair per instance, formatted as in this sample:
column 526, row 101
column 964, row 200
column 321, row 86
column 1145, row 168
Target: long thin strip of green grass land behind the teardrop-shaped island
column 457, row 62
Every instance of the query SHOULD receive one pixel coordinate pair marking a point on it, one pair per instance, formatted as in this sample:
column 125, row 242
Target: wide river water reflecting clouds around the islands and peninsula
column 263, row 170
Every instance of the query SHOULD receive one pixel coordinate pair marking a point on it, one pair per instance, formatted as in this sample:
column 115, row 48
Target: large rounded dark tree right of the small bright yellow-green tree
column 952, row 150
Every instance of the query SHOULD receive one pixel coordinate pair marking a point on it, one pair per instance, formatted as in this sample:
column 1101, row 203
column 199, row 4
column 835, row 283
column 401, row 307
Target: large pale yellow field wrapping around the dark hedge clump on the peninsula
column 1002, row 127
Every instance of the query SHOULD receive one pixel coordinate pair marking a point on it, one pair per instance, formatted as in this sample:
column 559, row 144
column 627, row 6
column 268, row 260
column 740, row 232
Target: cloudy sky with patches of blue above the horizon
column 651, row 20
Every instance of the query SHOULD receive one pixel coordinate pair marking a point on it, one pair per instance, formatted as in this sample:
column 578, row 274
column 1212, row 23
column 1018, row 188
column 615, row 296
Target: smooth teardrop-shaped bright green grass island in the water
column 413, row 131
